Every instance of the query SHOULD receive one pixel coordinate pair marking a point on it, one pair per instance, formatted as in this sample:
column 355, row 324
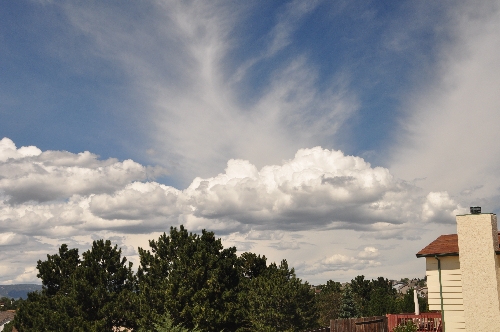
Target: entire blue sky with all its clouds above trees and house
column 342, row 136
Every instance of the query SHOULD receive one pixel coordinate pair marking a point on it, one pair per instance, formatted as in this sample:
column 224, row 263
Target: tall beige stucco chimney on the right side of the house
column 477, row 242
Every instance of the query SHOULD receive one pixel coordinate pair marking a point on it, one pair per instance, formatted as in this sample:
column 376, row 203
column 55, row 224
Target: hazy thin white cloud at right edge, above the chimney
column 450, row 136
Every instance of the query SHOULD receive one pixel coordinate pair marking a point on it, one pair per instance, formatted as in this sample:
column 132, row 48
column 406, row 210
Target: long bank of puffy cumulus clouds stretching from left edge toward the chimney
column 318, row 188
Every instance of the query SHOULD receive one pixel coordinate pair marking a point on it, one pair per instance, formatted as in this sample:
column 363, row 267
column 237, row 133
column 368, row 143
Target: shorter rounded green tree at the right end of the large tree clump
column 277, row 300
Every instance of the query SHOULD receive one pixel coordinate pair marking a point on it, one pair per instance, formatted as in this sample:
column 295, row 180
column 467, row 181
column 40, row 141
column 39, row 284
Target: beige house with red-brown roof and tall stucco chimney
column 463, row 274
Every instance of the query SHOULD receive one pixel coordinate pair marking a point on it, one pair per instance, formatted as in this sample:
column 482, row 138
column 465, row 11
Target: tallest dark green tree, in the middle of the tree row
column 194, row 277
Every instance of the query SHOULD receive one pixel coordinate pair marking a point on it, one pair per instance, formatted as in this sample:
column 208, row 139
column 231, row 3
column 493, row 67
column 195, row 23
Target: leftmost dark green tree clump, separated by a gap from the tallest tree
column 93, row 294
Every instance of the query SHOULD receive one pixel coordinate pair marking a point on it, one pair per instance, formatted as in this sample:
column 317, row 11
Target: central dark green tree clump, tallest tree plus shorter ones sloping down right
column 202, row 284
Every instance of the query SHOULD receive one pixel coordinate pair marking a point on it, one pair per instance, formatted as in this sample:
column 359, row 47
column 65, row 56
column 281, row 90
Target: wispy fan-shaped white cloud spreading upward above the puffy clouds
column 192, row 91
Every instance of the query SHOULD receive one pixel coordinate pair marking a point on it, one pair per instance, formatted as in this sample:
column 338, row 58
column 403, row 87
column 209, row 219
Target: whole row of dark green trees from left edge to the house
column 189, row 282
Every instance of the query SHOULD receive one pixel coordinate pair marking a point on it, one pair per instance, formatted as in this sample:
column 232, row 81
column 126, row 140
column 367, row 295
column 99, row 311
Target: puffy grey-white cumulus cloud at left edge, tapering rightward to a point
column 29, row 174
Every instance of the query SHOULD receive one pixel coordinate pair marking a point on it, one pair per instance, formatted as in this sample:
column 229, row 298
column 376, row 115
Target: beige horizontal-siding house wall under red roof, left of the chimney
column 451, row 279
